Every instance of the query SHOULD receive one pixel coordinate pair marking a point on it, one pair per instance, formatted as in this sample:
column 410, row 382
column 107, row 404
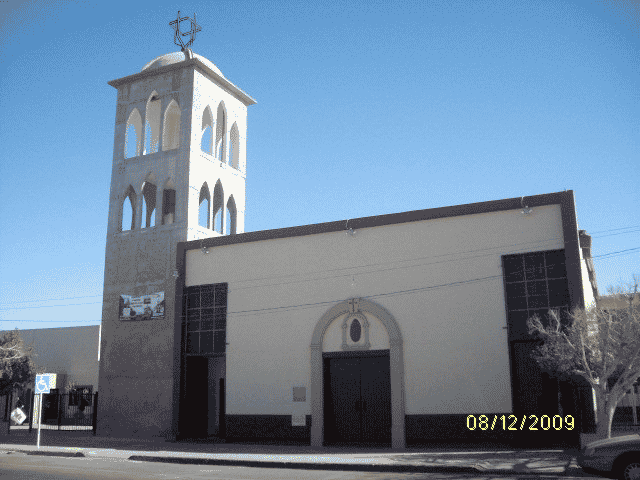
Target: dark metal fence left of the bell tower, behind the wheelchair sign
column 68, row 411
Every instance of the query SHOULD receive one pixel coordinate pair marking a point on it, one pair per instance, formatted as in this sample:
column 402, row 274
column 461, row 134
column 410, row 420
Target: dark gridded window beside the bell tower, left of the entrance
column 204, row 319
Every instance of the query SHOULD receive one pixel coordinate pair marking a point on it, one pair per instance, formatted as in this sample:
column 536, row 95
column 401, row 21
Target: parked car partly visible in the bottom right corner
column 619, row 456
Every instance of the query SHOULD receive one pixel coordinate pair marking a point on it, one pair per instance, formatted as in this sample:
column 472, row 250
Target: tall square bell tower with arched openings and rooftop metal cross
column 179, row 172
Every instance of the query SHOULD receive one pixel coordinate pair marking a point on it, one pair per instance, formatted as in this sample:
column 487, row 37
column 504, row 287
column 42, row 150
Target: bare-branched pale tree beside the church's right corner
column 600, row 345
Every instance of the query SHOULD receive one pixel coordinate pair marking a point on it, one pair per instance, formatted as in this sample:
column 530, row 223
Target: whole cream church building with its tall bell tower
column 388, row 330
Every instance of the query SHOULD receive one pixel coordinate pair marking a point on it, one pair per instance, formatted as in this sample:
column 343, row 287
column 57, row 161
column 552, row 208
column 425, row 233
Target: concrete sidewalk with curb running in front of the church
column 435, row 458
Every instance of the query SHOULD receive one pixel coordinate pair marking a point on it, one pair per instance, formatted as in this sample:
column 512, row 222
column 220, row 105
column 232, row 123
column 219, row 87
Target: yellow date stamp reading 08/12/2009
column 515, row 422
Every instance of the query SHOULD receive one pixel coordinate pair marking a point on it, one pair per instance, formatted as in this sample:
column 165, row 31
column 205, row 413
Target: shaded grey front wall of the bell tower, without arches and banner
column 137, row 360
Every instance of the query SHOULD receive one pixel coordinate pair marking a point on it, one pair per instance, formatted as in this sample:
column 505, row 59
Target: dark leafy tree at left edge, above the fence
column 17, row 369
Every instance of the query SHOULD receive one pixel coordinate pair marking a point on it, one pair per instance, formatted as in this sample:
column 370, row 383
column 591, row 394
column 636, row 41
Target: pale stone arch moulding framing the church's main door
column 396, row 367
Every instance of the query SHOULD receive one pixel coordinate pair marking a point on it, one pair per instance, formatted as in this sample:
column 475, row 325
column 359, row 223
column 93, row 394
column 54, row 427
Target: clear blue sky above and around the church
column 364, row 108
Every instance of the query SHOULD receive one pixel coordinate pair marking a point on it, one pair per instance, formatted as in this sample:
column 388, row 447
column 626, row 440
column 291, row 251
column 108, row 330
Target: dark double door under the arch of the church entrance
column 357, row 398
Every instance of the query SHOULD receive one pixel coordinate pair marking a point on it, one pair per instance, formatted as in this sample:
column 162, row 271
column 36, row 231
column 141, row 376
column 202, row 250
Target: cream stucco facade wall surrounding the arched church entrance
column 455, row 338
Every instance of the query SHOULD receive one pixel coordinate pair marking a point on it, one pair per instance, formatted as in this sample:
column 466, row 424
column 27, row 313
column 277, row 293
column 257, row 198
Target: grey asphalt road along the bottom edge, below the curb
column 19, row 466
